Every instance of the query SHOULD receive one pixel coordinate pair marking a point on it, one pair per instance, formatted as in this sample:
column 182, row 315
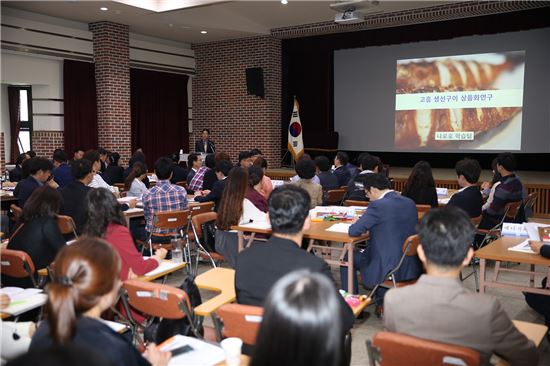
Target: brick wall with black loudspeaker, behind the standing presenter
column 220, row 102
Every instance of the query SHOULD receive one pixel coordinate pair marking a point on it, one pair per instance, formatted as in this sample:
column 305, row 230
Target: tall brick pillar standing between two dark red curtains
column 112, row 77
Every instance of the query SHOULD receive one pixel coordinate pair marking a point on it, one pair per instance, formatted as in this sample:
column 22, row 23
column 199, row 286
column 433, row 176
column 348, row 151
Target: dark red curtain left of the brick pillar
column 80, row 106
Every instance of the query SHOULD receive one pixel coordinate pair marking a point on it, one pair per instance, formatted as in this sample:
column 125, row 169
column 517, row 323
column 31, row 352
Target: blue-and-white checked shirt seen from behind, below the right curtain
column 160, row 198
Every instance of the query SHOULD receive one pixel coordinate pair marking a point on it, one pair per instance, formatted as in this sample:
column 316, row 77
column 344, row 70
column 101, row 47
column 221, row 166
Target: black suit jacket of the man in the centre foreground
column 260, row 266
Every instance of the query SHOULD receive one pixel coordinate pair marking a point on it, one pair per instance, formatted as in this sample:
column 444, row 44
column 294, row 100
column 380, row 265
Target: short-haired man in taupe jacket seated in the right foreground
column 437, row 307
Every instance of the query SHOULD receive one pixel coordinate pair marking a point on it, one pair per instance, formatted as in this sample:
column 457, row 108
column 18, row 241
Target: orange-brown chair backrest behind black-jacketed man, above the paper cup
column 241, row 321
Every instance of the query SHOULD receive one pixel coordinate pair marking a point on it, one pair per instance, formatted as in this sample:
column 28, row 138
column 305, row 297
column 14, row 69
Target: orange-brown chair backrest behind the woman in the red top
column 155, row 299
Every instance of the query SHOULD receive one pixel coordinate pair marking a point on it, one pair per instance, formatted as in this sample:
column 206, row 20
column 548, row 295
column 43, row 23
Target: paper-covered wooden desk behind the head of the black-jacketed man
column 318, row 231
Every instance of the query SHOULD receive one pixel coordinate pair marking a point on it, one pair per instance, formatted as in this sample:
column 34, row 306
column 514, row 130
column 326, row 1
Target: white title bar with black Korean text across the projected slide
column 462, row 99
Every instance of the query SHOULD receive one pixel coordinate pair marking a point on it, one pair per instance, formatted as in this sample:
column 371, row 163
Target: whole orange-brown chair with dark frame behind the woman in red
column 156, row 300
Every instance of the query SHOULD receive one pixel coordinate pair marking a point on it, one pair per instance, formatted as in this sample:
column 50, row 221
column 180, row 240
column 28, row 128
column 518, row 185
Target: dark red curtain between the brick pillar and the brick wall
column 159, row 113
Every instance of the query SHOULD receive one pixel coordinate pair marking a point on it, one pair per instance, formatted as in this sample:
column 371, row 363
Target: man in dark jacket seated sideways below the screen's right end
column 509, row 190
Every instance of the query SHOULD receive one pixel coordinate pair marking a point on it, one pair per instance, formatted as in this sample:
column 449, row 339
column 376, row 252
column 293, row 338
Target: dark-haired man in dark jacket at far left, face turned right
column 40, row 173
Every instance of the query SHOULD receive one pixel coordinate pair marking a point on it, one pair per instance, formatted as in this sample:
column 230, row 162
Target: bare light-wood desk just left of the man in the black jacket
column 218, row 279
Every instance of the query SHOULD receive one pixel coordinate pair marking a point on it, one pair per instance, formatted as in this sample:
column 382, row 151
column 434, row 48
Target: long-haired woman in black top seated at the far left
column 38, row 235
